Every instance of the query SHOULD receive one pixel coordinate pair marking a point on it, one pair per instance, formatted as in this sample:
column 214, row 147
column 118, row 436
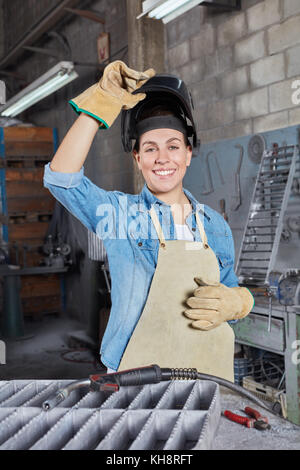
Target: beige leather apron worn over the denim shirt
column 163, row 335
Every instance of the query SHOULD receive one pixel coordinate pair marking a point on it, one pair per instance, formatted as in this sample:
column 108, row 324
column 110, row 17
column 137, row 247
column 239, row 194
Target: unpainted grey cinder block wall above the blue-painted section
column 240, row 66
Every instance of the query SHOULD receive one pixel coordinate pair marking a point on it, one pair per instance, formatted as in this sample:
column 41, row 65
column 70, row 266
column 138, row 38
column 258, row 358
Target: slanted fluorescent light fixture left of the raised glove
column 57, row 77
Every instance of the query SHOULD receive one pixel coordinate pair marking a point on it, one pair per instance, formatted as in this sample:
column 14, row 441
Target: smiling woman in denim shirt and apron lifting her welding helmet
column 159, row 242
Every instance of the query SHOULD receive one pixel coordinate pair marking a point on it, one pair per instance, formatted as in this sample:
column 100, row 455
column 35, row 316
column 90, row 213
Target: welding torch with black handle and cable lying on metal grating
column 142, row 376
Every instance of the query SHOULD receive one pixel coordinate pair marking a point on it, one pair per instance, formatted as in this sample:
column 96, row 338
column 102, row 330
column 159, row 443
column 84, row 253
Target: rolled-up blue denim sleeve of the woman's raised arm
column 82, row 198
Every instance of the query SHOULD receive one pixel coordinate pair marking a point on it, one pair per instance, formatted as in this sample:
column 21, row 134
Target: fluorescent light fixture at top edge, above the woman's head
column 167, row 10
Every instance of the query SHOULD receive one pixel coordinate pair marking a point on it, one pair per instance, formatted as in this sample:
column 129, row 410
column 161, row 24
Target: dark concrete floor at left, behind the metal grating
column 47, row 352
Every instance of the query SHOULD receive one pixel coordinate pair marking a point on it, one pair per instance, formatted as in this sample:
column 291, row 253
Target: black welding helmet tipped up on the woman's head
column 161, row 90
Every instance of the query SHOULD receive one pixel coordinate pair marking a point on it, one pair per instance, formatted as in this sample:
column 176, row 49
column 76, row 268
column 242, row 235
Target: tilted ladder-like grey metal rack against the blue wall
column 264, row 225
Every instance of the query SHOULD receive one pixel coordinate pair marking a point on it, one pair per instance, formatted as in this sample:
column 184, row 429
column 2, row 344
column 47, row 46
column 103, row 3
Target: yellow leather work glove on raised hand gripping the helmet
column 104, row 100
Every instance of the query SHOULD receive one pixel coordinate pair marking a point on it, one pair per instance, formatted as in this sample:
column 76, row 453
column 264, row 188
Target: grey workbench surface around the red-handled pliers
column 283, row 435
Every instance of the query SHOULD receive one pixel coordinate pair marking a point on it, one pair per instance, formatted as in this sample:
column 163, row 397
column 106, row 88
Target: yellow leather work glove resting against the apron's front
column 215, row 303
